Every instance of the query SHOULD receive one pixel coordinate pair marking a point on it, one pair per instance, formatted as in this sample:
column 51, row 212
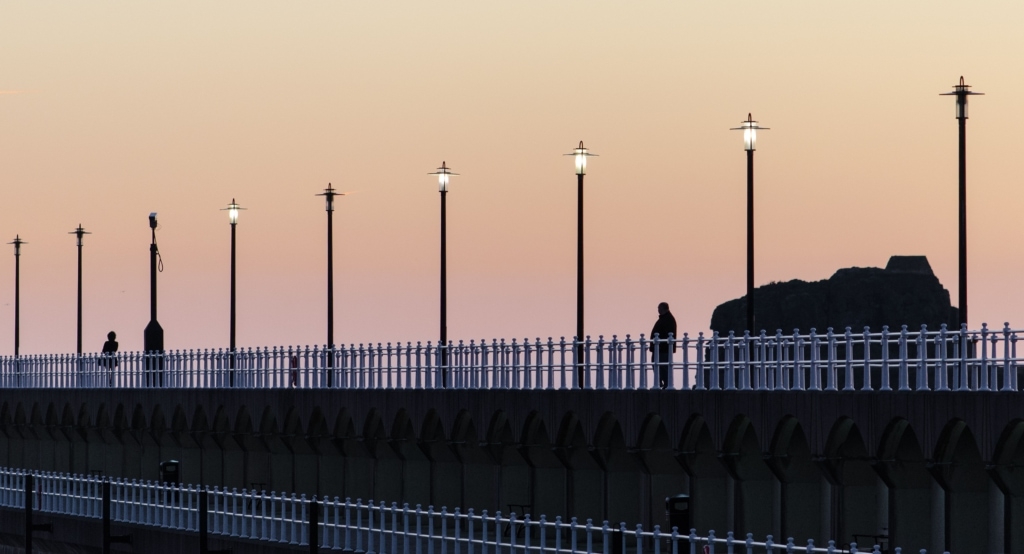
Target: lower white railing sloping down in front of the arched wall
column 359, row 527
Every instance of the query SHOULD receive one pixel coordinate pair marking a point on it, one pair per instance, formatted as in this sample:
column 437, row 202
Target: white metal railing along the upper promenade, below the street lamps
column 944, row 360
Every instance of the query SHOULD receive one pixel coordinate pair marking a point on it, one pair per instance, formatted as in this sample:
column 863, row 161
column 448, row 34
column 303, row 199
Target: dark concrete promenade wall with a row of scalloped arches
column 936, row 471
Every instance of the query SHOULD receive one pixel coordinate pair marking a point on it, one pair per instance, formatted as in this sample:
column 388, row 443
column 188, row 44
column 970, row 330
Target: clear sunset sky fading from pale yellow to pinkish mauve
column 110, row 111
